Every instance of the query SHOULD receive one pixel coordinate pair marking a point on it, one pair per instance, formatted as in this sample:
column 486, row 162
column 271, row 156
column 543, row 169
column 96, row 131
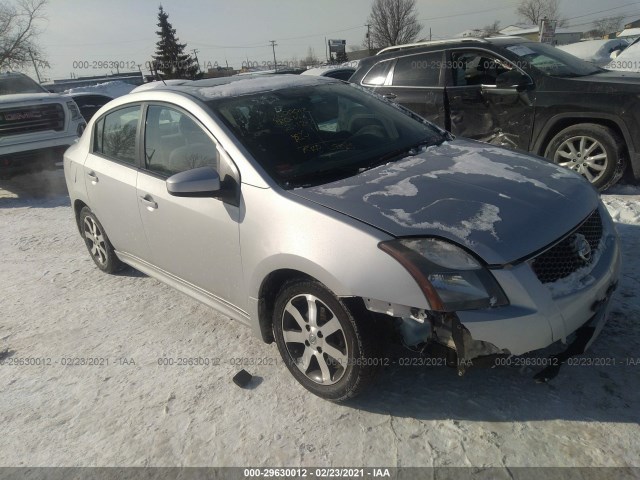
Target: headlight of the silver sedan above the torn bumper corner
column 450, row 278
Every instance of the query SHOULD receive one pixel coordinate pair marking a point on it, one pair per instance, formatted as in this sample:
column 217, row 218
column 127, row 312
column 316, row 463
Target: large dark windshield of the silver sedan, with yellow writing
column 304, row 136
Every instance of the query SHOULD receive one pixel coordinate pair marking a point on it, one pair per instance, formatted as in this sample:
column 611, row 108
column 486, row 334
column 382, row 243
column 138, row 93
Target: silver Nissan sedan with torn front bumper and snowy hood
column 331, row 222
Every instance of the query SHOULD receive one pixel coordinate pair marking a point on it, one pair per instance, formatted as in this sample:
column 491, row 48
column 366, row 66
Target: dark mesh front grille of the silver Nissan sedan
column 564, row 258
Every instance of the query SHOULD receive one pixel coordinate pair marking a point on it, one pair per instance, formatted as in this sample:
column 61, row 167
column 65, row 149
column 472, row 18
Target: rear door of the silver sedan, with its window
column 111, row 171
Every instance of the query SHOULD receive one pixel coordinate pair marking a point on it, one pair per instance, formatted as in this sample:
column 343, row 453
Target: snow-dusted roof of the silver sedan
column 225, row 87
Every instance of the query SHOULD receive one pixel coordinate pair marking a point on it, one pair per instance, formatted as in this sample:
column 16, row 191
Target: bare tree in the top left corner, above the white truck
column 18, row 34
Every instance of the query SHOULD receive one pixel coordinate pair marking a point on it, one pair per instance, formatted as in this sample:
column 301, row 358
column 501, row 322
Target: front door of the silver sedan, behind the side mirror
column 193, row 239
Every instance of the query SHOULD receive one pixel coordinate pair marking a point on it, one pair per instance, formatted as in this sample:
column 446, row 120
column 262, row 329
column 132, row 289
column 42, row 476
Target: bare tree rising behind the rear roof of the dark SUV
column 393, row 22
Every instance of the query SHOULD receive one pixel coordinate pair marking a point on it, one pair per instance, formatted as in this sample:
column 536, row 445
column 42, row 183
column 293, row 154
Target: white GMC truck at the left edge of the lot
column 36, row 126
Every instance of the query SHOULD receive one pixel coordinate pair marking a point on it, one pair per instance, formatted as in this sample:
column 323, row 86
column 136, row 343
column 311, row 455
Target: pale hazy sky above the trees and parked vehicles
column 240, row 30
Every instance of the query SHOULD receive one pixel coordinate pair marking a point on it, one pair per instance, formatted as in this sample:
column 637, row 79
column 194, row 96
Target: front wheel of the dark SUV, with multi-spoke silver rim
column 606, row 162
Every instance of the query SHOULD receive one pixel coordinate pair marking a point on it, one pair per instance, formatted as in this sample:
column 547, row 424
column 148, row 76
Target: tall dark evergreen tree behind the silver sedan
column 170, row 60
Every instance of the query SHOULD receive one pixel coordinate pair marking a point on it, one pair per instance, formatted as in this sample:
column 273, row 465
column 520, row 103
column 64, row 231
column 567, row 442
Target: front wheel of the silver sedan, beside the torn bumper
column 356, row 342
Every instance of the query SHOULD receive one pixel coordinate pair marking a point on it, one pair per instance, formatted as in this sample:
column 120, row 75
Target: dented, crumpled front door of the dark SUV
column 478, row 109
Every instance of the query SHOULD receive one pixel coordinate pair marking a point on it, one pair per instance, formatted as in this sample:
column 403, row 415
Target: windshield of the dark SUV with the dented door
column 552, row 60
